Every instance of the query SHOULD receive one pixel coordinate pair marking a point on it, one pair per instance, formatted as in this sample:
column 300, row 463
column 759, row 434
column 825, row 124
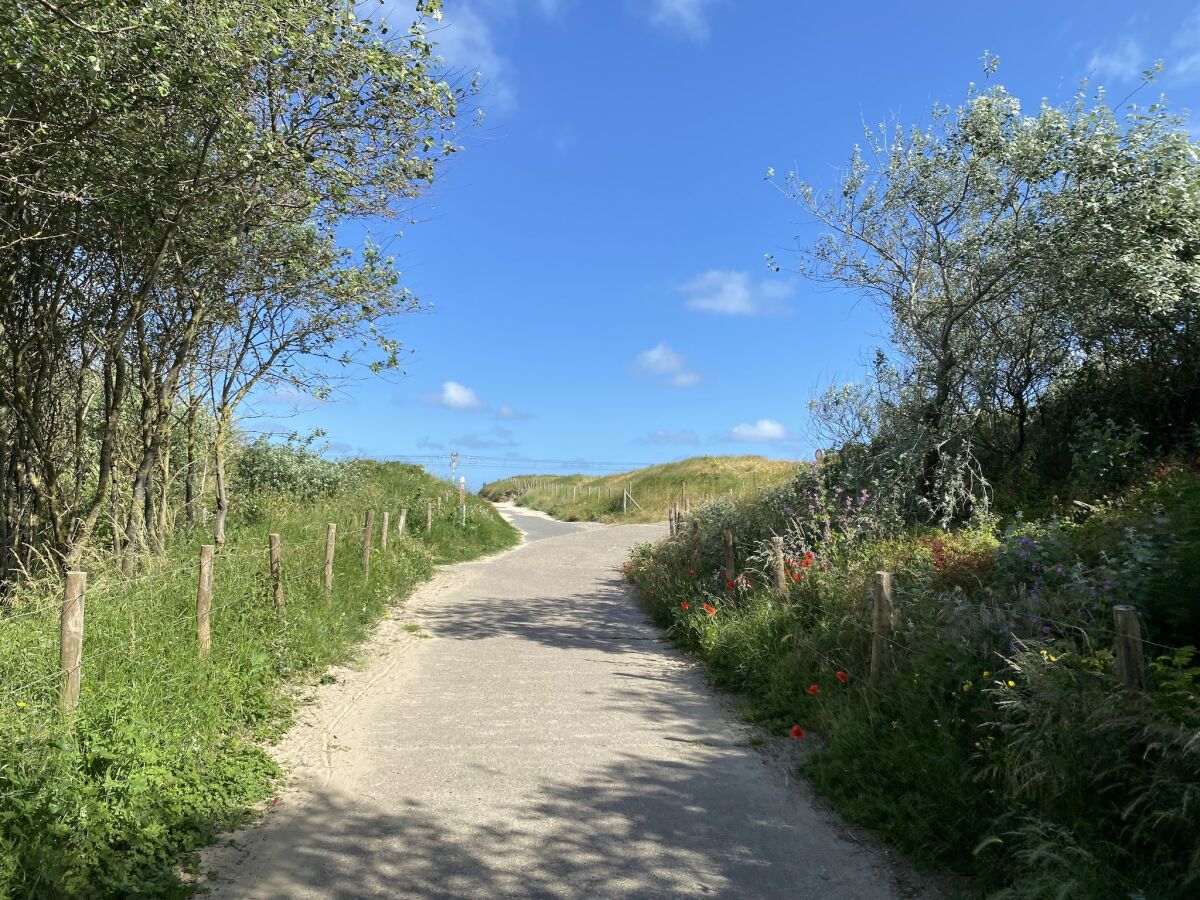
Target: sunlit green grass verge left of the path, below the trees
column 164, row 751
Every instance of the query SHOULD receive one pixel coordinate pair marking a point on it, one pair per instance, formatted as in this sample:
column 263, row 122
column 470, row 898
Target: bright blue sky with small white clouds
column 595, row 260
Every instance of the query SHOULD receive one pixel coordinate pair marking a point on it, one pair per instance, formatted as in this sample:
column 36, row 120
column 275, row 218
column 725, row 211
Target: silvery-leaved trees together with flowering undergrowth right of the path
column 1024, row 458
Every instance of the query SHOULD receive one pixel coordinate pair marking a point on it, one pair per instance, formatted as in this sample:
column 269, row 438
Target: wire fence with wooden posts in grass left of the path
column 37, row 667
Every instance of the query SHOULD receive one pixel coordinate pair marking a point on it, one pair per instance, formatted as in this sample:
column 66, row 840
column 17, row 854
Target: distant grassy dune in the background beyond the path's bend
column 599, row 499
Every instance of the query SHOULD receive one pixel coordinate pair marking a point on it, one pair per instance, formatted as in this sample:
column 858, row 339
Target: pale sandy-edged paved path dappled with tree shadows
column 538, row 739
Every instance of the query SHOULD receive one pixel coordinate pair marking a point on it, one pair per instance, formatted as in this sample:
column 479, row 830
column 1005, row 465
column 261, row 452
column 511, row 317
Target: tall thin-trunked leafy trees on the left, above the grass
column 173, row 177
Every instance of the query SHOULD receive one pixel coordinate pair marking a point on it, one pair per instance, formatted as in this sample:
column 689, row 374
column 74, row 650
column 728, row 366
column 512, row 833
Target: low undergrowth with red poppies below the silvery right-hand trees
column 1000, row 745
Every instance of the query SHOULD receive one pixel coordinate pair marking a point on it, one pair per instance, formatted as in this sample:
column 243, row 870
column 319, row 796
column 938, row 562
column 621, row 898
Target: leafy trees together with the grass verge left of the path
column 173, row 182
